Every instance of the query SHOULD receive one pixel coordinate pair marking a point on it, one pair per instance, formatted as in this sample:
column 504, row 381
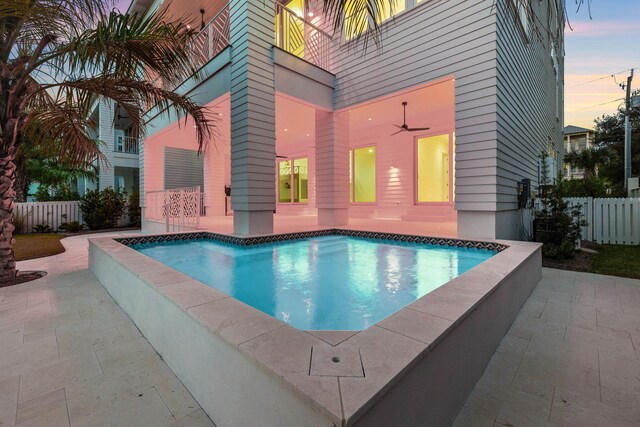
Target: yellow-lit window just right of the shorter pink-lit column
column 363, row 175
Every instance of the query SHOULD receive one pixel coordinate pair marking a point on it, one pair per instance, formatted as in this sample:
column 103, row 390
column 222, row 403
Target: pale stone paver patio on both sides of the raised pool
column 70, row 356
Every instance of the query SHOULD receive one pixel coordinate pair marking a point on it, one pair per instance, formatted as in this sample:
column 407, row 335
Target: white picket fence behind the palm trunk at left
column 51, row 213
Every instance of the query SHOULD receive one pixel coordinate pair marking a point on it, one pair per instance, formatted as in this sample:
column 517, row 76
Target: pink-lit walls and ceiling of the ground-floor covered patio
column 431, row 106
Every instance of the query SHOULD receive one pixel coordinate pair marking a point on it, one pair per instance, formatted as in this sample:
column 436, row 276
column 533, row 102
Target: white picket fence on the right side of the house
column 611, row 220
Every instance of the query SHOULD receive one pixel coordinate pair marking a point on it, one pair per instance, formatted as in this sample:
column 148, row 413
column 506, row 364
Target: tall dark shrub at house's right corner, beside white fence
column 557, row 222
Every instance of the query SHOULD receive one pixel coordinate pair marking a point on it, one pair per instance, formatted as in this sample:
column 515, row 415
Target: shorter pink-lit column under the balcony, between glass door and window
column 332, row 168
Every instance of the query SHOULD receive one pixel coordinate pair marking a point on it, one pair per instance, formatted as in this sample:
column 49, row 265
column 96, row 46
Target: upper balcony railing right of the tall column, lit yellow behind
column 302, row 38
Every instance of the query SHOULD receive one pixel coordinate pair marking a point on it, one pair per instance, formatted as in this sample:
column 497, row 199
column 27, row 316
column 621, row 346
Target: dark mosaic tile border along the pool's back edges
column 273, row 238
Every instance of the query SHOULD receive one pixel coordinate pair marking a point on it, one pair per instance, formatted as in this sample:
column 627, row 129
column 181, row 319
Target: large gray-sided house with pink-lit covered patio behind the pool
column 485, row 77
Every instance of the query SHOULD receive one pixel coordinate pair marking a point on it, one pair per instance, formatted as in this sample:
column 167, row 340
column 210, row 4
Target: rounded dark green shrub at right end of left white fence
column 102, row 209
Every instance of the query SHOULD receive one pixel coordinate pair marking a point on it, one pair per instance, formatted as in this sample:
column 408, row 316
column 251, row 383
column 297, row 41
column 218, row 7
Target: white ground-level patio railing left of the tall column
column 179, row 209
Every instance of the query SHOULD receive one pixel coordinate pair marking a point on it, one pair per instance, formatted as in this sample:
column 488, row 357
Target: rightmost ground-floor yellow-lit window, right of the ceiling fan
column 433, row 169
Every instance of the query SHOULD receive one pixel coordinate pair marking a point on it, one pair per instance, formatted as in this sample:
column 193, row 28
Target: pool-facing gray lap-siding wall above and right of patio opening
column 438, row 39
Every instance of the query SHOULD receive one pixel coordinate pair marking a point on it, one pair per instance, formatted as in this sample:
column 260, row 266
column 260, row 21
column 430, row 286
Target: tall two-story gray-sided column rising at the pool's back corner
column 252, row 116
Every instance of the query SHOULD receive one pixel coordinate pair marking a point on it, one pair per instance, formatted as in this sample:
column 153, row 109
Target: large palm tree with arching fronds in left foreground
column 56, row 58
